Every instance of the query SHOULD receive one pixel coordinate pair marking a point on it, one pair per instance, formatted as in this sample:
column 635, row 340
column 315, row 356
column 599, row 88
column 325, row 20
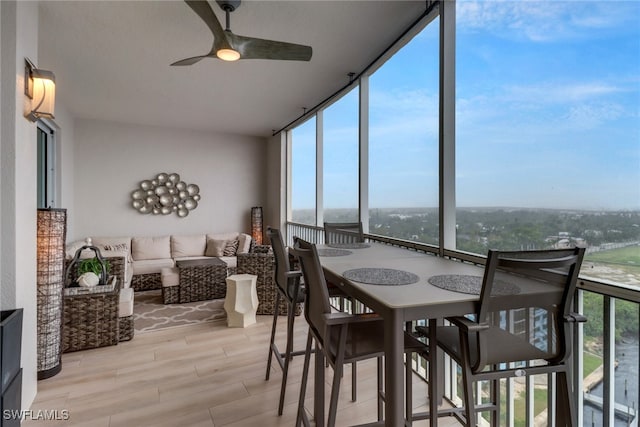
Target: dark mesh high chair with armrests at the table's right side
column 489, row 347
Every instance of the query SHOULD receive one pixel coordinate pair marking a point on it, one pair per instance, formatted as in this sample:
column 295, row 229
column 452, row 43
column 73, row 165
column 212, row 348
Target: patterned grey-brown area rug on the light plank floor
column 150, row 314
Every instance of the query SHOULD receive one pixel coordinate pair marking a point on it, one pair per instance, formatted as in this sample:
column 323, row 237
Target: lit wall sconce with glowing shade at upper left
column 40, row 87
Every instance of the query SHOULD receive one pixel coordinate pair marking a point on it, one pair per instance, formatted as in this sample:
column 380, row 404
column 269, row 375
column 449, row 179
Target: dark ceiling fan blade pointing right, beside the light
column 254, row 48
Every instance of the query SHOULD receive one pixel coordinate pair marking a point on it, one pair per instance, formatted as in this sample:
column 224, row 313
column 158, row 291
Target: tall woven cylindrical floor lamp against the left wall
column 51, row 236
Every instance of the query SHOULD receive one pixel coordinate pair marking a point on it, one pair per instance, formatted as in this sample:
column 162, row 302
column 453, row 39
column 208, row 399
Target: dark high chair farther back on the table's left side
column 290, row 290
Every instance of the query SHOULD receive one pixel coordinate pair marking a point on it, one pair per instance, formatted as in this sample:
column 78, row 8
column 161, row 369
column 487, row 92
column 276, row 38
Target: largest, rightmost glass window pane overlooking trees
column 547, row 129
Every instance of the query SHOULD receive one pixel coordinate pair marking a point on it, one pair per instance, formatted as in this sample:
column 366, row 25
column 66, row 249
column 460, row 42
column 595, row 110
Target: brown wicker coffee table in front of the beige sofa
column 202, row 279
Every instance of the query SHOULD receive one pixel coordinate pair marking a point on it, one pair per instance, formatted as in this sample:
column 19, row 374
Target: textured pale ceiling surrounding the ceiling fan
column 111, row 59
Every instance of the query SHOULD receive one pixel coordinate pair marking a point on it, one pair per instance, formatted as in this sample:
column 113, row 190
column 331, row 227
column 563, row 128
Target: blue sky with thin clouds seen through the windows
column 547, row 113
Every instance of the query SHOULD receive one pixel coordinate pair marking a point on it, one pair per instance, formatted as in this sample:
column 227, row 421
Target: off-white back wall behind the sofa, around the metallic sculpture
column 110, row 160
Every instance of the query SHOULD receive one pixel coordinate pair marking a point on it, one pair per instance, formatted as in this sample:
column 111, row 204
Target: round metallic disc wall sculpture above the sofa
column 166, row 194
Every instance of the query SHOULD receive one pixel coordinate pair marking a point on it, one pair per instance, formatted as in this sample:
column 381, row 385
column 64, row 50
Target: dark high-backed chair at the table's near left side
column 340, row 337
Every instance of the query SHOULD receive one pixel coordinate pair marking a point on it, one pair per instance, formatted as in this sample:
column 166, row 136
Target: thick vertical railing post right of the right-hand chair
column 608, row 394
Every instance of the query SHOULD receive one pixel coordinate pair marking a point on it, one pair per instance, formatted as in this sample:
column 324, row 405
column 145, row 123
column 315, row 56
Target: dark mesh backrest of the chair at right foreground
column 556, row 269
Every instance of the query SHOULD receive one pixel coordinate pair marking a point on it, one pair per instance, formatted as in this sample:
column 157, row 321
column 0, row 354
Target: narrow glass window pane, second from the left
column 340, row 159
